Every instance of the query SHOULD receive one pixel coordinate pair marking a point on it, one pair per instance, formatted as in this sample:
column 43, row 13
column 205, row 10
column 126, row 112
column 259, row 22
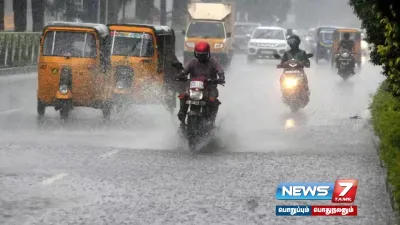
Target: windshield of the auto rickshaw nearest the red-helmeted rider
column 138, row 44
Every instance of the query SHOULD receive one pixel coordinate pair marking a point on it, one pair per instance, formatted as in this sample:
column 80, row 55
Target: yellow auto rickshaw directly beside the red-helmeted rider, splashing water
column 141, row 57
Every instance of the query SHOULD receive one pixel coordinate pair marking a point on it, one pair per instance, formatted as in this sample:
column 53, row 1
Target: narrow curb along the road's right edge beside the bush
column 389, row 188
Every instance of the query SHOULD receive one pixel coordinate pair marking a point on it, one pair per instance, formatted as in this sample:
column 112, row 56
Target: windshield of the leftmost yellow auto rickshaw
column 73, row 44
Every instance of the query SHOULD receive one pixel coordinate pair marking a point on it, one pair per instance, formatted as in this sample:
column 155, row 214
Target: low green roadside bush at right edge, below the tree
column 385, row 110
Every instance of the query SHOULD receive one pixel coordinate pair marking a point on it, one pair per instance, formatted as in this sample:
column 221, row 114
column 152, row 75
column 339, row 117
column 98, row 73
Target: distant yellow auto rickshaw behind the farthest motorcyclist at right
column 355, row 35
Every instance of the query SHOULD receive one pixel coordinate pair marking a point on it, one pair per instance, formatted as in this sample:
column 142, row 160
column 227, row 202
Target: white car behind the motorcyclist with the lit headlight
column 267, row 41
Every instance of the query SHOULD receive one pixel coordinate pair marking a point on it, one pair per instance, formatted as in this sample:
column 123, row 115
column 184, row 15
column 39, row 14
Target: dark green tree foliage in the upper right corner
column 382, row 23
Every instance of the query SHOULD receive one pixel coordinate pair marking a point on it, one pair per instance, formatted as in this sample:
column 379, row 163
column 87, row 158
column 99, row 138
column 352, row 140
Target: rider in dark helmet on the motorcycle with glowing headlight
column 300, row 55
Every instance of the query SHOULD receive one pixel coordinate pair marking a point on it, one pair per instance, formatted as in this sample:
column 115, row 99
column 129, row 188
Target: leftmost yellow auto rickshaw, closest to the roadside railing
column 72, row 69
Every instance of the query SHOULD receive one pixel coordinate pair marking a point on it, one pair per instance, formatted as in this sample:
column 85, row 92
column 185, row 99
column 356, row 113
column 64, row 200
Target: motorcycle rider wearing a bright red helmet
column 202, row 65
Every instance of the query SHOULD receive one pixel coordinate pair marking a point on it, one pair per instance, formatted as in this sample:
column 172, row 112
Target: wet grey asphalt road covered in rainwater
column 136, row 170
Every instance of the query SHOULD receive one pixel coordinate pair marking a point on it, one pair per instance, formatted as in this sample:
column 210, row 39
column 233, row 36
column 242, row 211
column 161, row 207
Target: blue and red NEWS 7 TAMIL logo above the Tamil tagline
column 342, row 191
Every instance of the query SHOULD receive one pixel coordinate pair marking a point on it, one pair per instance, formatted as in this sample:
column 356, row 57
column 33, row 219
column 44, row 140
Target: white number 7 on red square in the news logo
column 344, row 191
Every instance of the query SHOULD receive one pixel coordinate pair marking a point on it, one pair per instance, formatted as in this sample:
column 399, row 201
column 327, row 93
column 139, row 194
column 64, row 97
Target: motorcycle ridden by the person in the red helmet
column 199, row 122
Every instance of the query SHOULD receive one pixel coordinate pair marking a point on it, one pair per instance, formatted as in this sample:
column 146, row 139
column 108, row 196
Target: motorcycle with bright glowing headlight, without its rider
column 293, row 84
